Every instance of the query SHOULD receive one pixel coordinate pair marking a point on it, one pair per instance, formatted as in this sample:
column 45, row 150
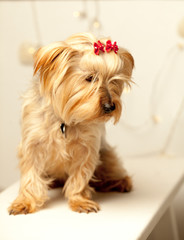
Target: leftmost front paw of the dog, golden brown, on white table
column 21, row 208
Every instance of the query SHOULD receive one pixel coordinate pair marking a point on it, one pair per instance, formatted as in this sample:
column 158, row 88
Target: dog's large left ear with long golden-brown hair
column 52, row 59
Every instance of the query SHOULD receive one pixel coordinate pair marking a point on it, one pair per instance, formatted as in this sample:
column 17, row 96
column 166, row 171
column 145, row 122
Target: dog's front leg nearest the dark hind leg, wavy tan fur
column 76, row 187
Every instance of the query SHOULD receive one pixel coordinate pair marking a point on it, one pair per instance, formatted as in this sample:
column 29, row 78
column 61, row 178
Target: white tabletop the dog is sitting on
column 127, row 216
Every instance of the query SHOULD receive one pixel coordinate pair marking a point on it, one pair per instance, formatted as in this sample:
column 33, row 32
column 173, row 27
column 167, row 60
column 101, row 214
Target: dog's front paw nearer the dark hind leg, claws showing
column 84, row 205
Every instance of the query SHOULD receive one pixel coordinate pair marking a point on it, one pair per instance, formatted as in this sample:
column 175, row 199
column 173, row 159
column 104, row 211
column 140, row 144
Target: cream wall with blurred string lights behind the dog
column 152, row 122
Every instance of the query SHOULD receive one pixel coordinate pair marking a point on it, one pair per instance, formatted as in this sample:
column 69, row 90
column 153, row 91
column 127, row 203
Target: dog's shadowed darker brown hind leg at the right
column 110, row 175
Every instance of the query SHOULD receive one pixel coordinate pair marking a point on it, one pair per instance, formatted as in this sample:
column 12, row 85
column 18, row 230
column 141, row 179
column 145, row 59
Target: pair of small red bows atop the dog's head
column 109, row 46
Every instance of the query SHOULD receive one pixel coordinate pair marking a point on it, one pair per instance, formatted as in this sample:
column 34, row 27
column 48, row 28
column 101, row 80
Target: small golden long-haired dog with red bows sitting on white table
column 76, row 89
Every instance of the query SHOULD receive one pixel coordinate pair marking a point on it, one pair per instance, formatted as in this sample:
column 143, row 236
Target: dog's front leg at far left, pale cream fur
column 33, row 187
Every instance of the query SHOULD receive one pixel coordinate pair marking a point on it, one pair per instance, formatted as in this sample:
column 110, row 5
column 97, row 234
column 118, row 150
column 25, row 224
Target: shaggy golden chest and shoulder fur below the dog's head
column 59, row 151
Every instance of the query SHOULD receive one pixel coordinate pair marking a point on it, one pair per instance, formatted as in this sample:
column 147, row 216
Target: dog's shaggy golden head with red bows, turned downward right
column 84, row 81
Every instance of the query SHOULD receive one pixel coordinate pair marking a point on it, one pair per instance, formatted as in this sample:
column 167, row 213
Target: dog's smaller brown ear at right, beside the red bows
column 128, row 61
